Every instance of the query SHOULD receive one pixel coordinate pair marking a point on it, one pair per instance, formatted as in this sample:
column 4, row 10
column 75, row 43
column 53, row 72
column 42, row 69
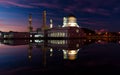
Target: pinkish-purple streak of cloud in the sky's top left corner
column 8, row 3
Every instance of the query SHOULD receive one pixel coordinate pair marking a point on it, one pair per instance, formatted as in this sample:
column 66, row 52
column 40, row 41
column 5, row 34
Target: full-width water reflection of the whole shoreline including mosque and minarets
column 69, row 48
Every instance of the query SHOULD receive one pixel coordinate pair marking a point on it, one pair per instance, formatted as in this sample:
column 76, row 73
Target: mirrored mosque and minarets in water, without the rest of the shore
column 69, row 48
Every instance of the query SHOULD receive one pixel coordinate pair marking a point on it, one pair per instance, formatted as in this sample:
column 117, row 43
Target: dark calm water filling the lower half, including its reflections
column 59, row 57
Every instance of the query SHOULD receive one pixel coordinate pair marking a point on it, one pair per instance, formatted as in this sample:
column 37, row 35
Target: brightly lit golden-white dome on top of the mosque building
column 71, row 21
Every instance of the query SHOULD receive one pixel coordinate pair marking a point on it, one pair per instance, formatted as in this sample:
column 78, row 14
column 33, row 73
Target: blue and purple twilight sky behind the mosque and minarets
column 92, row 14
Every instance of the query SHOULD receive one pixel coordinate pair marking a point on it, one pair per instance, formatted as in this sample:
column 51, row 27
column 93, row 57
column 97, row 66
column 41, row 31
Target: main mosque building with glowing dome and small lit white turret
column 69, row 29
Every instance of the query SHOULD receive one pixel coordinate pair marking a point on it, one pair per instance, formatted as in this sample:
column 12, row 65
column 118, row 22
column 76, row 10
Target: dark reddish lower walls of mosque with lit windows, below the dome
column 65, row 32
